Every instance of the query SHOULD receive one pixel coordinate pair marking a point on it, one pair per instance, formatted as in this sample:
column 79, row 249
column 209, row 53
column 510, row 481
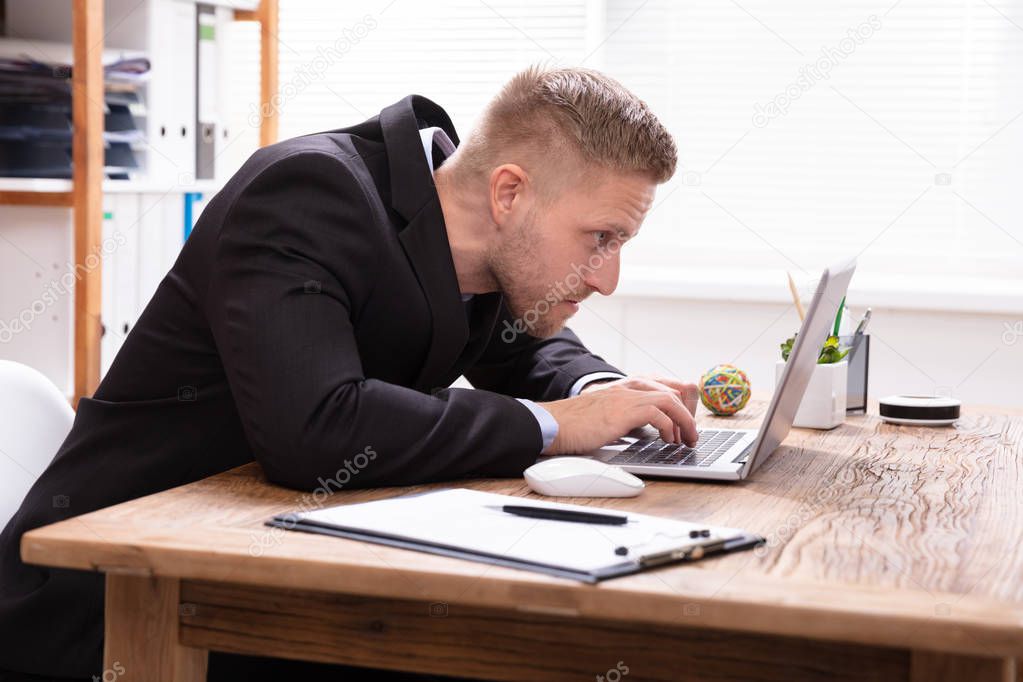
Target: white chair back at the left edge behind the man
column 35, row 420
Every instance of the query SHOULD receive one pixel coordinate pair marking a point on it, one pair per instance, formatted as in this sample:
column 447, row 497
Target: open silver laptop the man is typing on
column 734, row 454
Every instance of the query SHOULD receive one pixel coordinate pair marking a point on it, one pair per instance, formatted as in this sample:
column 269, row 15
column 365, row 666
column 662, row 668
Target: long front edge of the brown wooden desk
column 915, row 620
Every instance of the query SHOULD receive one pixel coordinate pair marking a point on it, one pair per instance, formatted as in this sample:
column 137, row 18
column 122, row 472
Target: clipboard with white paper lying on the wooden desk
column 472, row 525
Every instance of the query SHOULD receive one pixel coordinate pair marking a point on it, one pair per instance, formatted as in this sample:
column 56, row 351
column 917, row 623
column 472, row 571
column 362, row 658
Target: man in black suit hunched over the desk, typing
column 330, row 295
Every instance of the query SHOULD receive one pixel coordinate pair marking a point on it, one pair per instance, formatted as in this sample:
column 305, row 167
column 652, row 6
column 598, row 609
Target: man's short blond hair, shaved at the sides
column 581, row 114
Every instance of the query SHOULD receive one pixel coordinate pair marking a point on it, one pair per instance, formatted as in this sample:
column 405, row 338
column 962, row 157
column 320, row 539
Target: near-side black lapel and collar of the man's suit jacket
column 425, row 238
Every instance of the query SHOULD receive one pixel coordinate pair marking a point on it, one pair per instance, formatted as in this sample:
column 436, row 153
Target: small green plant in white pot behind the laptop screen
column 825, row 400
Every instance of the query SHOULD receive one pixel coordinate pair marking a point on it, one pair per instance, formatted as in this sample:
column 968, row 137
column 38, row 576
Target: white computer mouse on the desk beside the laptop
column 582, row 477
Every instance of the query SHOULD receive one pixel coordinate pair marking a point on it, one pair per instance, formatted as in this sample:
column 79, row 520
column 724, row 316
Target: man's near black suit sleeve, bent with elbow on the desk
column 296, row 257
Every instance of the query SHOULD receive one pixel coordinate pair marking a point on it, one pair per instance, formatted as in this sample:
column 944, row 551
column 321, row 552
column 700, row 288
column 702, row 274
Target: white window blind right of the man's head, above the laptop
column 811, row 133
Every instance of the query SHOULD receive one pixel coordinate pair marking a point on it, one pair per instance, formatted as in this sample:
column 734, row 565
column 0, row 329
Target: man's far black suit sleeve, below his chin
column 542, row 370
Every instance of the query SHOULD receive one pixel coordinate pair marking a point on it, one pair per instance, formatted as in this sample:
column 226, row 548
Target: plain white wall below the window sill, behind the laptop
column 973, row 357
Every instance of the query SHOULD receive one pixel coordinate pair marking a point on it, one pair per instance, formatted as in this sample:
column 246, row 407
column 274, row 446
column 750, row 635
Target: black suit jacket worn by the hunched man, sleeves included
column 313, row 315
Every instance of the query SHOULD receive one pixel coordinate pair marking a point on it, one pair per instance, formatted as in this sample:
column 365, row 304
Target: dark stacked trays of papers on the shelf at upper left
column 36, row 118
